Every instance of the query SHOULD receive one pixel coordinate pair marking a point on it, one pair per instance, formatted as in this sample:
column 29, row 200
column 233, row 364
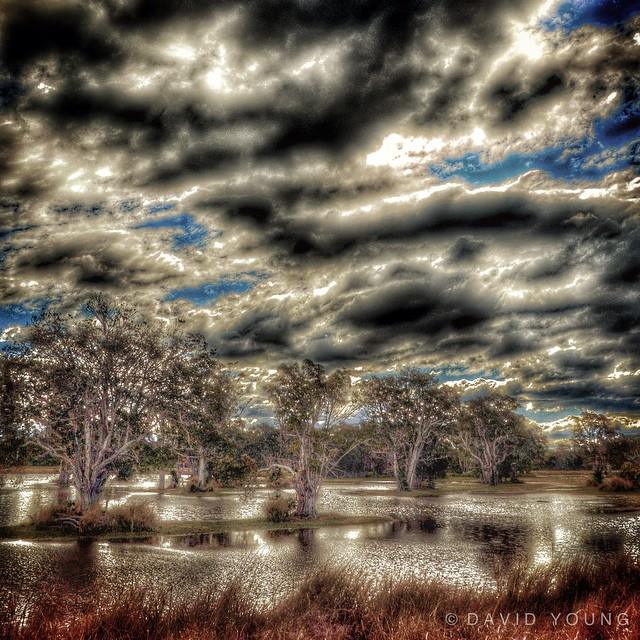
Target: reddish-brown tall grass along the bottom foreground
column 561, row 602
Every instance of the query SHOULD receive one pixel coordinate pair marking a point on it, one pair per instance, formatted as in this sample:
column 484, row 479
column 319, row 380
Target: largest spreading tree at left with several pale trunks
column 97, row 386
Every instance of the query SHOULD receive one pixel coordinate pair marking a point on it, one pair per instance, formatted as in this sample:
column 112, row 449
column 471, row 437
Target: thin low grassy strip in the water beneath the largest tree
column 194, row 527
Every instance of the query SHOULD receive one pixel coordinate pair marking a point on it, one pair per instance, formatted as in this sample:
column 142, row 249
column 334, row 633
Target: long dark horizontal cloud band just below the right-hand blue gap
column 452, row 212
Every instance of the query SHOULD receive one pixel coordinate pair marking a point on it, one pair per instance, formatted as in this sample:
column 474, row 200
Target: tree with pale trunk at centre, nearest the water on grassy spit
column 308, row 404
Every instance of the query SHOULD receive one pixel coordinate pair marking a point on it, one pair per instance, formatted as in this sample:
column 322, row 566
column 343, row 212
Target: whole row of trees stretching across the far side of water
column 109, row 392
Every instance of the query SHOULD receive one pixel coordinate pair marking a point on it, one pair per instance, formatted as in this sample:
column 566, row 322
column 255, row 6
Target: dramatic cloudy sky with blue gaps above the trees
column 370, row 184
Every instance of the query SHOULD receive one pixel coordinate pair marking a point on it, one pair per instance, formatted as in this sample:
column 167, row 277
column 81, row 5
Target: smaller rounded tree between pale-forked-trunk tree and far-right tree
column 489, row 431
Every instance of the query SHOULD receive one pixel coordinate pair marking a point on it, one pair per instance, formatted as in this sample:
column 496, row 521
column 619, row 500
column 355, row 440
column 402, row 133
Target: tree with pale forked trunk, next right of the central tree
column 410, row 413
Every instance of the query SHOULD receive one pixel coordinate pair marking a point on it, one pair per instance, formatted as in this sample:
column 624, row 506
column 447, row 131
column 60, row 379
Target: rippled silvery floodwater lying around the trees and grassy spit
column 459, row 538
